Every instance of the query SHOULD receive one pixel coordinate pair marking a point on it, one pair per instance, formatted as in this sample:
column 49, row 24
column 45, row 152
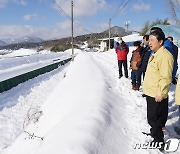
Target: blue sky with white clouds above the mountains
column 44, row 19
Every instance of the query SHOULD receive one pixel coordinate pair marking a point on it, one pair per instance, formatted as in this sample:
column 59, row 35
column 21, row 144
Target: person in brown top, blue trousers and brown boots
column 135, row 59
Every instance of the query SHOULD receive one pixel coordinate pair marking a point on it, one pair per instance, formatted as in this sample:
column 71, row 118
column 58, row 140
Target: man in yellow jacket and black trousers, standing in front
column 156, row 84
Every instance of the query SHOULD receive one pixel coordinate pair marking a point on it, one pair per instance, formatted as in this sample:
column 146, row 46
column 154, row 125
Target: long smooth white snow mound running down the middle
column 74, row 115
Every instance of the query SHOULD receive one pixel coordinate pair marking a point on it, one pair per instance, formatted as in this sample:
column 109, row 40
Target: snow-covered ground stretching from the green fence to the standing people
column 79, row 108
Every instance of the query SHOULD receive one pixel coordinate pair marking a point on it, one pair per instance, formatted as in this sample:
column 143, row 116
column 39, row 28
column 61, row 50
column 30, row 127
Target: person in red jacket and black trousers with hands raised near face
column 122, row 50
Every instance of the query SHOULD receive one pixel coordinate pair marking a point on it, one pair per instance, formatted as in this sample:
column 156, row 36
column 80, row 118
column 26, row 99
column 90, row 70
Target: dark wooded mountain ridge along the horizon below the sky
column 65, row 43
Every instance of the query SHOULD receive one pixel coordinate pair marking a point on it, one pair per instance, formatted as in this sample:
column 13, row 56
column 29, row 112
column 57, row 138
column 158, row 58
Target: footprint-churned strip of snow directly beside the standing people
column 134, row 111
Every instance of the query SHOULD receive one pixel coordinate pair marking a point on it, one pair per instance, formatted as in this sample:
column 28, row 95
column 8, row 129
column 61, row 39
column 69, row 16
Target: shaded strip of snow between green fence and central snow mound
column 16, row 103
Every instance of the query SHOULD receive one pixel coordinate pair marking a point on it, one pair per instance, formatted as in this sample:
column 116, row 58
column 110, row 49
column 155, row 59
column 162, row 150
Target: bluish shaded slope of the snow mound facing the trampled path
column 111, row 134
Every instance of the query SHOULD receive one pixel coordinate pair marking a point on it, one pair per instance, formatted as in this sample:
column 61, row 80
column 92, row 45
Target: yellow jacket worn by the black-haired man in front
column 158, row 74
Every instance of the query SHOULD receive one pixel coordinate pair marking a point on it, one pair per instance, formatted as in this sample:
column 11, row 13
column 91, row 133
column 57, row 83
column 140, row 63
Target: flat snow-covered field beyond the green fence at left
column 25, row 60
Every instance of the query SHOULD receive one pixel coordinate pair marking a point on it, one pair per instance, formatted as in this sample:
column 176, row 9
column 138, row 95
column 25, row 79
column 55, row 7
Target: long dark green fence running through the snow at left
column 12, row 82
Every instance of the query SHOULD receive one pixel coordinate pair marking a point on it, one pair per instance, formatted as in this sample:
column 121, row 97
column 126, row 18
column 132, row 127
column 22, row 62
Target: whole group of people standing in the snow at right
column 155, row 58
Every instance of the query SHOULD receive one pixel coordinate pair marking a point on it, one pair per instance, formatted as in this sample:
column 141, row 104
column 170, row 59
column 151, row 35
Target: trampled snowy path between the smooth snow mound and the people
column 129, row 122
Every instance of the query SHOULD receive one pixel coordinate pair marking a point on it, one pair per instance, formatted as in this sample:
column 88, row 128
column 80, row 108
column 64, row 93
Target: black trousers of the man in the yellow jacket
column 157, row 113
